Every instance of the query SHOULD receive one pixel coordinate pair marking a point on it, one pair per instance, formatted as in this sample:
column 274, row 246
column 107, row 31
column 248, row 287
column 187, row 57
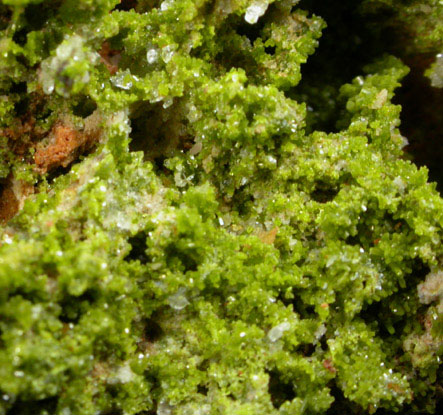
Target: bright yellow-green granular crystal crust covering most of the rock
column 239, row 265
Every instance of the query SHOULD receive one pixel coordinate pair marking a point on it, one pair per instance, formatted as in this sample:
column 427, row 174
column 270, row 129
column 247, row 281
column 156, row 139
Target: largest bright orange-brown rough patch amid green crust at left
column 65, row 144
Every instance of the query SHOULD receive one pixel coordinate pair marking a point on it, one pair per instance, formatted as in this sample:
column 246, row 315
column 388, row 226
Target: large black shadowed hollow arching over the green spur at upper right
column 351, row 41
